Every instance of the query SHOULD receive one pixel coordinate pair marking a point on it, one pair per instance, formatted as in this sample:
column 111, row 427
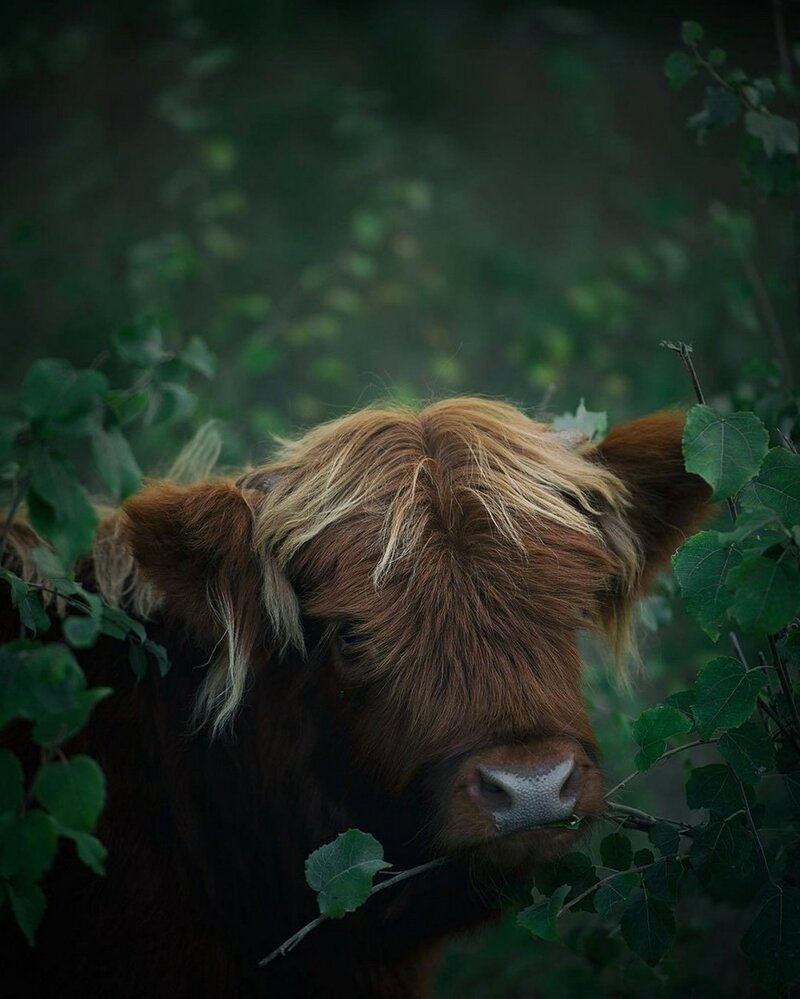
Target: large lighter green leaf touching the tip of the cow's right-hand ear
column 725, row 450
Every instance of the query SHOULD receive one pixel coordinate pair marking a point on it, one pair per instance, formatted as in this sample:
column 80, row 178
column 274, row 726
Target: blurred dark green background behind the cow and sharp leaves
column 397, row 200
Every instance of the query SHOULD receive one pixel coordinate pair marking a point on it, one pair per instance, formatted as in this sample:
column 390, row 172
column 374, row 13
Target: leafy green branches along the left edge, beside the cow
column 67, row 436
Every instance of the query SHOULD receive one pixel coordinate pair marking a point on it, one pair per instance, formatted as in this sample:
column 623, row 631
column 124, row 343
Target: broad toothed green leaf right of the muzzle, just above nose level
column 725, row 695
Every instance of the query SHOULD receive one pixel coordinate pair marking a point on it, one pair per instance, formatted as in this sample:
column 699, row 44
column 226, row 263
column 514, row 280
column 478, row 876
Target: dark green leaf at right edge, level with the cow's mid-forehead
column 767, row 594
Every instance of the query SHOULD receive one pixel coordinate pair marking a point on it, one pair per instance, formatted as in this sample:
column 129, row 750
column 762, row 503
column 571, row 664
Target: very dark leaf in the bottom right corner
column 773, row 939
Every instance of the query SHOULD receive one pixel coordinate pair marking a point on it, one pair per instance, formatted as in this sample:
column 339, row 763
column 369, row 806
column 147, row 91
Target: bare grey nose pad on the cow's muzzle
column 524, row 799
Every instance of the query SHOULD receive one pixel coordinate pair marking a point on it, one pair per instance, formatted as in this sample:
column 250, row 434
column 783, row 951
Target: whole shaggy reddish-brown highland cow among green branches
column 378, row 630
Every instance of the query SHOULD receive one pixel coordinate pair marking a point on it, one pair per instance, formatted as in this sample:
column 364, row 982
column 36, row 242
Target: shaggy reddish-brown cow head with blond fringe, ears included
column 428, row 574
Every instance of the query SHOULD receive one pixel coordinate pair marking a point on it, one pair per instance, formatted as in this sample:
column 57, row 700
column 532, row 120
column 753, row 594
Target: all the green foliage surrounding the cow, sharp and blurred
column 318, row 235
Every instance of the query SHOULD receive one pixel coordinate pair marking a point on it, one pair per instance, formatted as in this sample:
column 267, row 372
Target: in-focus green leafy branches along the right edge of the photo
column 742, row 580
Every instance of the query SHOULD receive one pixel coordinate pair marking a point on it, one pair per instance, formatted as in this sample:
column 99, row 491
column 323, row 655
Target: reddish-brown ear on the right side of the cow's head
column 667, row 503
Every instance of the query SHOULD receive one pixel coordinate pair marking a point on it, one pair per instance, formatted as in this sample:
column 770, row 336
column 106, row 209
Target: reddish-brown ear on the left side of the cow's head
column 194, row 546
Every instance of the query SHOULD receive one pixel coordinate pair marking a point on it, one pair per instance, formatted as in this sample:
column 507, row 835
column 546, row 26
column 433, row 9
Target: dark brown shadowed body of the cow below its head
column 206, row 847
